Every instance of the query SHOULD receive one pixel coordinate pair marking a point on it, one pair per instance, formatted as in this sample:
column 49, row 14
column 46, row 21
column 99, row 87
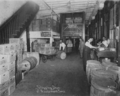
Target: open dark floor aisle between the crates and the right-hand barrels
column 55, row 78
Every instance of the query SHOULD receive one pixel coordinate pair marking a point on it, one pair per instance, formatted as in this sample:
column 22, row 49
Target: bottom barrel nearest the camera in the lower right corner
column 103, row 87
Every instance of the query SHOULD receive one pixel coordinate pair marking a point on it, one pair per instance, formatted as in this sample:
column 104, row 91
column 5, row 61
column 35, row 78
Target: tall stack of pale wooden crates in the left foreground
column 7, row 69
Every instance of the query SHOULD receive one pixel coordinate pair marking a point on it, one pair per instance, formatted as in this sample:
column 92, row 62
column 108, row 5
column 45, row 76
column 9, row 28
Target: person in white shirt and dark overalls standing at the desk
column 87, row 51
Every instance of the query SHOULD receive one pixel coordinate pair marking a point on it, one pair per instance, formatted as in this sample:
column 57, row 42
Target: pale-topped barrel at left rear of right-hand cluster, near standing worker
column 92, row 65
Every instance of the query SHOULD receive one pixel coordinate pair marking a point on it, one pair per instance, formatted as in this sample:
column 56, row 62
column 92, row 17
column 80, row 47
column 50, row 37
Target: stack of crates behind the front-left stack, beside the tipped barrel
column 19, row 48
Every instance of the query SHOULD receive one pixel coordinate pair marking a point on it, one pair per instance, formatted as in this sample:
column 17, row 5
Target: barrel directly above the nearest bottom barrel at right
column 102, row 73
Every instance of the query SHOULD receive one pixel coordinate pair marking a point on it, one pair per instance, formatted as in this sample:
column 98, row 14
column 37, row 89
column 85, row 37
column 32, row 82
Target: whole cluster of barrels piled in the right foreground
column 103, row 77
